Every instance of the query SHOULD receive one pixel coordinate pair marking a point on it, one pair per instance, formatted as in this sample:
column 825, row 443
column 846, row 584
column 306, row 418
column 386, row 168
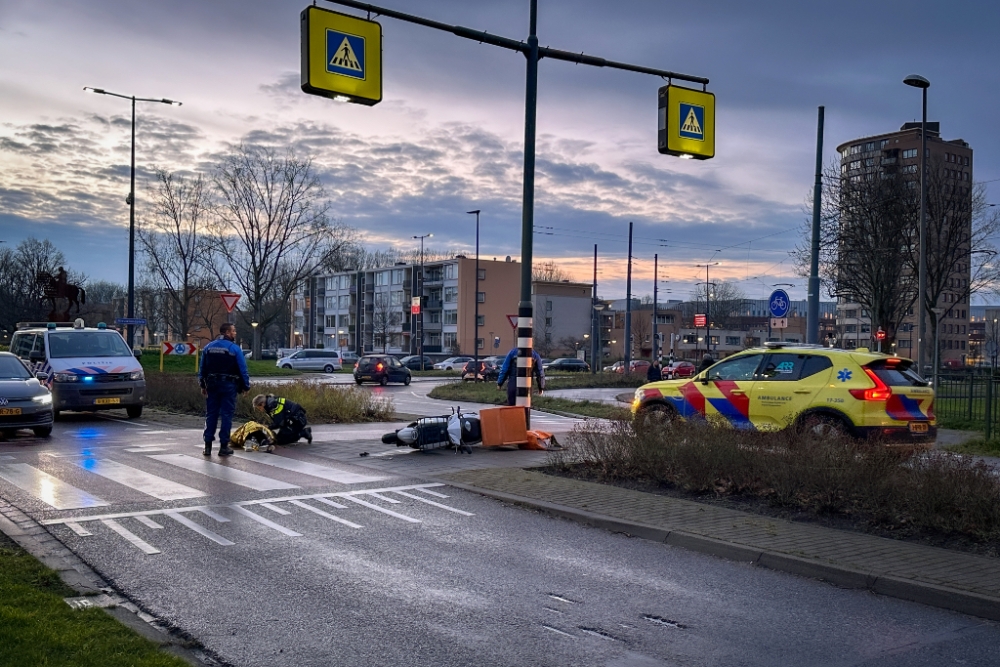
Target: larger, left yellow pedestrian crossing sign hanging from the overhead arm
column 341, row 56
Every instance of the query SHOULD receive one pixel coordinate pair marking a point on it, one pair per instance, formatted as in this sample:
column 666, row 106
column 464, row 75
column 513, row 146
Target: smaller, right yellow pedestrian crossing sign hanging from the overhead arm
column 686, row 123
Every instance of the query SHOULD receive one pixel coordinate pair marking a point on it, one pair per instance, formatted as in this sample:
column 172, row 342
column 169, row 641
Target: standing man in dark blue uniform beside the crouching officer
column 222, row 376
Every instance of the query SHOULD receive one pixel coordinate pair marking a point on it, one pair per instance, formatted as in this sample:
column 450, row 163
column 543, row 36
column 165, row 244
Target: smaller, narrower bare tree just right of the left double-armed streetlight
column 174, row 244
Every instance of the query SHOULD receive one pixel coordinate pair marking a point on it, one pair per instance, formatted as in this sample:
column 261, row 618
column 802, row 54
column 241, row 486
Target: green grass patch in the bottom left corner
column 38, row 628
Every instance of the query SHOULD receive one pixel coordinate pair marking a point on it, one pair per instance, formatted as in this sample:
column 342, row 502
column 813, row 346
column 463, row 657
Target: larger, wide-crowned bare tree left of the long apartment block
column 272, row 228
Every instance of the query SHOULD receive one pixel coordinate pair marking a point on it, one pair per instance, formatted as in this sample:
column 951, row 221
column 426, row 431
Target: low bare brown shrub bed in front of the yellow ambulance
column 931, row 495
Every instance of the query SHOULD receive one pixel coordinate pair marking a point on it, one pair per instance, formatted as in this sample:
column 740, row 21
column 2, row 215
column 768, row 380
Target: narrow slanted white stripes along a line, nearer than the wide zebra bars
column 358, row 505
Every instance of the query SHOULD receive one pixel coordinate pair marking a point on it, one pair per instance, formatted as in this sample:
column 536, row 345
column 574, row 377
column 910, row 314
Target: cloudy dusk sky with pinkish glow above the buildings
column 448, row 135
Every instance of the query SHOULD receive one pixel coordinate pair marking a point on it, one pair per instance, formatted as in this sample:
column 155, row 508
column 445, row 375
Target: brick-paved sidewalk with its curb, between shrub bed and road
column 929, row 575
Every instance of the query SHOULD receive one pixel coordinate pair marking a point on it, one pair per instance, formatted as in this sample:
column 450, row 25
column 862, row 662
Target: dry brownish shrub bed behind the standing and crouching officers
column 325, row 404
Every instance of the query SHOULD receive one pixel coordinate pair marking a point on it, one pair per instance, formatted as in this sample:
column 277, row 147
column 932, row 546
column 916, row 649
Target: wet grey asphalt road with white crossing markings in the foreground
column 327, row 562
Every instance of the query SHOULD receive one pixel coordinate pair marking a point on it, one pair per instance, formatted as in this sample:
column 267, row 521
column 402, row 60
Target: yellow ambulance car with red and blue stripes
column 824, row 390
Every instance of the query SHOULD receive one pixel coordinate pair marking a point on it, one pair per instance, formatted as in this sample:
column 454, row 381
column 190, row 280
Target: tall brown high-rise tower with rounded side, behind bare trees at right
column 949, row 185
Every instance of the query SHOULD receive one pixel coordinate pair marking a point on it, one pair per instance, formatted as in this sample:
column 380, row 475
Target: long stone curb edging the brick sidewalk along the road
column 966, row 602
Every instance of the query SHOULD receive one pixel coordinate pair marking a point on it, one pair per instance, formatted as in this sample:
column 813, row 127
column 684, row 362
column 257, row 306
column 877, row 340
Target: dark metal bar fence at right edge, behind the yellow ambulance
column 970, row 397
